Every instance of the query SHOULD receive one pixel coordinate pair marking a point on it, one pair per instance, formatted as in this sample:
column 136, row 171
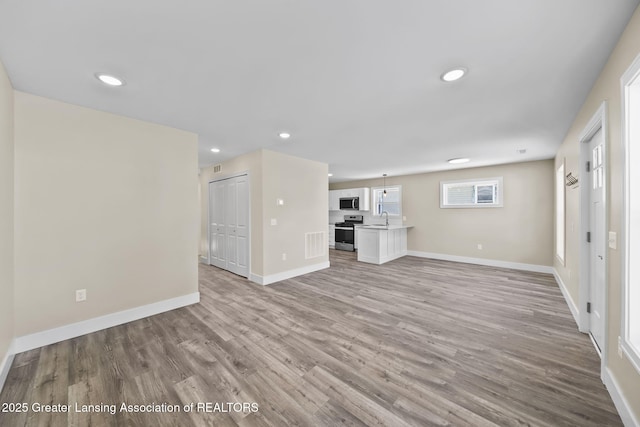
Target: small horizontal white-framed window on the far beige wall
column 476, row 193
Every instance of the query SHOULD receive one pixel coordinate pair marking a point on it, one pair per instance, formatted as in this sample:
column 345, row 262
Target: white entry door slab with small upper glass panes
column 597, row 236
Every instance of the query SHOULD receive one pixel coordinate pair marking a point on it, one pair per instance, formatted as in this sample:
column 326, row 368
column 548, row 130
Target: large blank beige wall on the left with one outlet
column 102, row 202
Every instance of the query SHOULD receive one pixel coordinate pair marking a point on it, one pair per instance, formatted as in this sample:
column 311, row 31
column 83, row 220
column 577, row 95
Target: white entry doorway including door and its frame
column 593, row 218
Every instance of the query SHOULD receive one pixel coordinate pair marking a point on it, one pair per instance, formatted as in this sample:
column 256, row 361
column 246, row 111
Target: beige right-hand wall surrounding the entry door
column 607, row 87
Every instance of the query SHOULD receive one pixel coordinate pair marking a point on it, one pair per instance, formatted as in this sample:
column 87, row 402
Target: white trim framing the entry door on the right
column 598, row 120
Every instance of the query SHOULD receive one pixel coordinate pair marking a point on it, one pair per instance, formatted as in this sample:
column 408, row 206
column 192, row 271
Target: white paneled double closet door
column 229, row 224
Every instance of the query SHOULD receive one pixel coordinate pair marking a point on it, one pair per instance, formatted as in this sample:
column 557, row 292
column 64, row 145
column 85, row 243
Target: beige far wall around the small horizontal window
column 520, row 232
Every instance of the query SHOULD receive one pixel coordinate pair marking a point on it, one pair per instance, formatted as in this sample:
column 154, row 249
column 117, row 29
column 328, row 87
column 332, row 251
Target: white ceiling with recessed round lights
column 356, row 82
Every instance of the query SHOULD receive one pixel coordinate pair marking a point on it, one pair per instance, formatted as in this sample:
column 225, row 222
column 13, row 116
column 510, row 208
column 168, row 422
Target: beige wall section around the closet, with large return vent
column 302, row 184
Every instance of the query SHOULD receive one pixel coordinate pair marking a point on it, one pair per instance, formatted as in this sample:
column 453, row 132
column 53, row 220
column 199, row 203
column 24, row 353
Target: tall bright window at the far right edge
column 631, row 249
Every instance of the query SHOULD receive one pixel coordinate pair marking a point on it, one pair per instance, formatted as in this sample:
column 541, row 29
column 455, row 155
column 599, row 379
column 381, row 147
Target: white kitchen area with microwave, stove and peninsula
column 367, row 222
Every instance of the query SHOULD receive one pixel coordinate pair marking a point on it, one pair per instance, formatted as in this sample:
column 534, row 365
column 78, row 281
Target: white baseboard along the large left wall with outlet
column 51, row 336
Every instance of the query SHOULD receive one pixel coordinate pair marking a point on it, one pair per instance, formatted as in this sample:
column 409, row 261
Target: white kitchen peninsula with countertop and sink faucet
column 380, row 244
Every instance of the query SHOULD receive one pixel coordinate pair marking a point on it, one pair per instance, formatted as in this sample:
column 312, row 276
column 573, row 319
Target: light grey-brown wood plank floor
column 413, row 342
